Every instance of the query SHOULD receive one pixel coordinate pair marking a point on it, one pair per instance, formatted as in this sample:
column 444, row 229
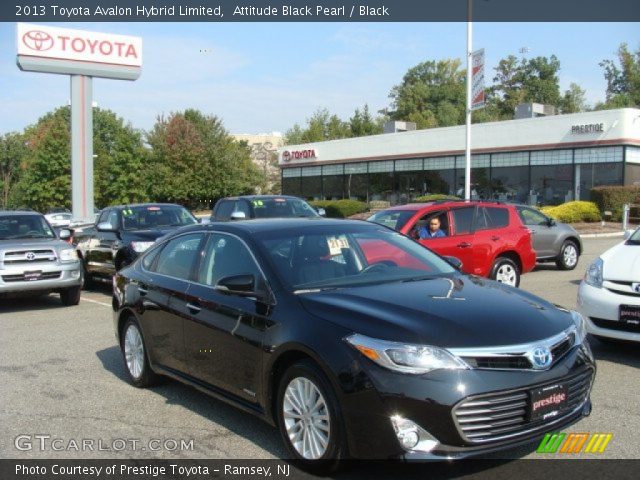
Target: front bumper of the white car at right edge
column 602, row 306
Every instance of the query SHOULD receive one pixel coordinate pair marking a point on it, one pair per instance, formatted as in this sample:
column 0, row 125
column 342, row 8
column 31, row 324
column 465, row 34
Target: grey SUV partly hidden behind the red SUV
column 553, row 241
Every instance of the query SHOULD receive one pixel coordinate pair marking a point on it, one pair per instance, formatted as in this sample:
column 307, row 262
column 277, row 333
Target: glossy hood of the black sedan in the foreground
column 461, row 311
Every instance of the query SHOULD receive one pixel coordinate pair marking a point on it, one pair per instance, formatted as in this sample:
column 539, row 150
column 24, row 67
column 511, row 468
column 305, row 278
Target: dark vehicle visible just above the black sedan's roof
column 262, row 206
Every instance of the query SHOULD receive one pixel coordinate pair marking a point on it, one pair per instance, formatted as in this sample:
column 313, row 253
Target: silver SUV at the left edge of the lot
column 34, row 260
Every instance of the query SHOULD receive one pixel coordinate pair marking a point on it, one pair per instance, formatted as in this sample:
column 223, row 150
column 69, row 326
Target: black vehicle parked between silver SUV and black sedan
column 122, row 232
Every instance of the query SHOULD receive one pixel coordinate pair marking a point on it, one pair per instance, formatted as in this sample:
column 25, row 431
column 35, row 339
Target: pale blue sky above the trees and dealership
column 265, row 77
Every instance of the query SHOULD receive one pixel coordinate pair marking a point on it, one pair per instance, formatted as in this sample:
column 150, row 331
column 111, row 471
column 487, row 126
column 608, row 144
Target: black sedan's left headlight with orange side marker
column 405, row 358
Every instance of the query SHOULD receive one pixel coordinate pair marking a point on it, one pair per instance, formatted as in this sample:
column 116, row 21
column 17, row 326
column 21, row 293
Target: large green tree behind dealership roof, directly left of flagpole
column 431, row 94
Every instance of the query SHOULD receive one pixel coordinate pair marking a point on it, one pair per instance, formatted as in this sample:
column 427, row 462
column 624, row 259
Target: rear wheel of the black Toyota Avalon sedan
column 135, row 355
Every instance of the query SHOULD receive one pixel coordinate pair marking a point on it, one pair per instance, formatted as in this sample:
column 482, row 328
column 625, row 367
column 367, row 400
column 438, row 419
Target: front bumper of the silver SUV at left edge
column 56, row 276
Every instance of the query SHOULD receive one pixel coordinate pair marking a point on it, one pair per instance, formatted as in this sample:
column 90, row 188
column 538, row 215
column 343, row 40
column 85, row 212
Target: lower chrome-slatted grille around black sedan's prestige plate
column 497, row 416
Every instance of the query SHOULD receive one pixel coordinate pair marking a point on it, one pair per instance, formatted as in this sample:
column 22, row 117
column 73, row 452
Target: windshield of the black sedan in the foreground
column 346, row 256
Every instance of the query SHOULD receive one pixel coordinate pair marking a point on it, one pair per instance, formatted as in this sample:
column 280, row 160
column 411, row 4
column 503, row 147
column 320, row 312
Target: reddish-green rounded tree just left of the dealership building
column 193, row 160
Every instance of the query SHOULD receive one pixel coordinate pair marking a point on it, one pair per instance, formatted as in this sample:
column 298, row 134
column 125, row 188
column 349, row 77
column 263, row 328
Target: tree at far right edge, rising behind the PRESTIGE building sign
column 623, row 79
